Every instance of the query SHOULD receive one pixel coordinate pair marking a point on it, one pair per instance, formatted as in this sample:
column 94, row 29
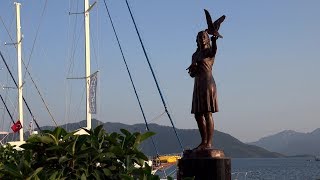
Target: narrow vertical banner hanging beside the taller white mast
column 92, row 93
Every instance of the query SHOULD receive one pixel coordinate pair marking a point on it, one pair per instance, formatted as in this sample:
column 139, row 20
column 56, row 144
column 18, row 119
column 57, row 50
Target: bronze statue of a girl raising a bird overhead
column 204, row 101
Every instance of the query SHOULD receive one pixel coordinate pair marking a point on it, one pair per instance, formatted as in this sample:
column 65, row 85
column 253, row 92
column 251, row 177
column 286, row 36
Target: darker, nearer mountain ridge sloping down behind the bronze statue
column 166, row 141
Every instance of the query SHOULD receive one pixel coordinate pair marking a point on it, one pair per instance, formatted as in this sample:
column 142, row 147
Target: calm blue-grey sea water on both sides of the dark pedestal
column 269, row 169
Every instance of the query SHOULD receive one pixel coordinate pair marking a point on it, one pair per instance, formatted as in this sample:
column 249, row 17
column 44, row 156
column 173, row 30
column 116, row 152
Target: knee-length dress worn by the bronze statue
column 204, row 90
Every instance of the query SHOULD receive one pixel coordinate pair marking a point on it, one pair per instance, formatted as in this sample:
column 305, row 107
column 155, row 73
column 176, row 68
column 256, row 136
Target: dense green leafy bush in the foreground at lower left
column 61, row 155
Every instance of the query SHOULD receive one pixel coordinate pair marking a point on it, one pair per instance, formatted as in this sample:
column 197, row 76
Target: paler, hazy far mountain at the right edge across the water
column 292, row 143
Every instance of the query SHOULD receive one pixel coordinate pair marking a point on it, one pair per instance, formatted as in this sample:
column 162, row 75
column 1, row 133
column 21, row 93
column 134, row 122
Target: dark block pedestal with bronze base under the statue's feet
column 207, row 164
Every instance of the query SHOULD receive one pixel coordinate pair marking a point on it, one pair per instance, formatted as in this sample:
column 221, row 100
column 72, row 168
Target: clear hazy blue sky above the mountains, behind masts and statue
column 266, row 68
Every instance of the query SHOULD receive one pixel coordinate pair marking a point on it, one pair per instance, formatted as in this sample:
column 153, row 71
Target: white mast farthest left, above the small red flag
column 20, row 103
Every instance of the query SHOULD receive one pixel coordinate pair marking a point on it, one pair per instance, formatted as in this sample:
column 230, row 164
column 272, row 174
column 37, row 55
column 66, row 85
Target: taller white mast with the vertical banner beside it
column 87, row 59
